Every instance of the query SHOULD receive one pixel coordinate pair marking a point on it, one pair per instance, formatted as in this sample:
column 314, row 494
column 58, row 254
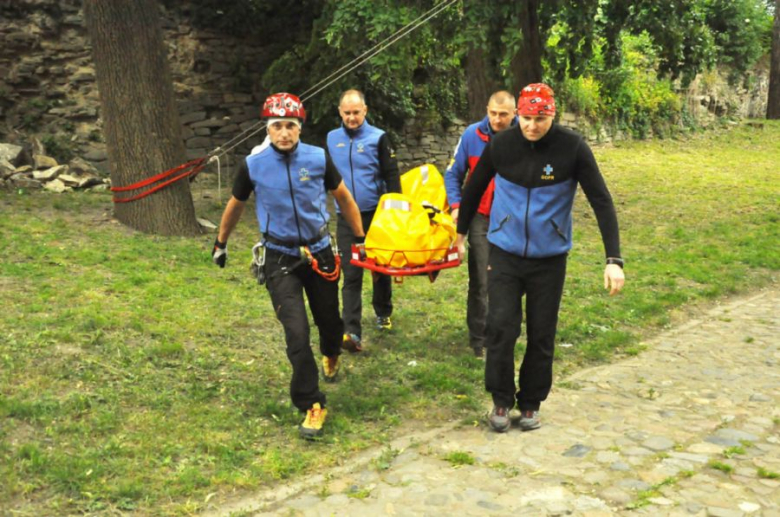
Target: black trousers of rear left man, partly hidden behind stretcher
column 351, row 292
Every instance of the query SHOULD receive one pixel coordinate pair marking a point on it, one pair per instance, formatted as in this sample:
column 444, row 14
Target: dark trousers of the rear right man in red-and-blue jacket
column 476, row 308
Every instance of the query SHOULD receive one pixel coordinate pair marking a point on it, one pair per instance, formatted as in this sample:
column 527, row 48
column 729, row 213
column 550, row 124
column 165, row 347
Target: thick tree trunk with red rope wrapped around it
column 140, row 119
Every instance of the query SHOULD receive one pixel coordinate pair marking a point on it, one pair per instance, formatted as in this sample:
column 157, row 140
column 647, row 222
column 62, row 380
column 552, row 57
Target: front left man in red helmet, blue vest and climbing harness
column 290, row 181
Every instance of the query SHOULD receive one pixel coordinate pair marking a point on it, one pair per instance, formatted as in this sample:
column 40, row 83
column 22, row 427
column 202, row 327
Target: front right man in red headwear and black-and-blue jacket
column 536, row 170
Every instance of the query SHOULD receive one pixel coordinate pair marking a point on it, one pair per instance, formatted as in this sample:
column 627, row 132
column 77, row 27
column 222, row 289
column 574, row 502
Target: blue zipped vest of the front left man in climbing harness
column 290, row 197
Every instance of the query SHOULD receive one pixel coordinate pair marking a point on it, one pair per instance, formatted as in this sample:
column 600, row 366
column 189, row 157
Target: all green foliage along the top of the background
column 610, row 60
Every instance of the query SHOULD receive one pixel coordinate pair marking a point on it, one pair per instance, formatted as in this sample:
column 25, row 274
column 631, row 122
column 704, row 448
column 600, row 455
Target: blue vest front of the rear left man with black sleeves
column 356, row 156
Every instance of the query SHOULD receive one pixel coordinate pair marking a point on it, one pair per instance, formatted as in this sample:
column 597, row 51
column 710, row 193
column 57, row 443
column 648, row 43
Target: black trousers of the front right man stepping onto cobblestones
column 511, row 277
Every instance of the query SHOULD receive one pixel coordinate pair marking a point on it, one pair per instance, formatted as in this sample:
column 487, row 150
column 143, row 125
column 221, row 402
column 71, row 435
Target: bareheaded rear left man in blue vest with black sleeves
column 366, row 161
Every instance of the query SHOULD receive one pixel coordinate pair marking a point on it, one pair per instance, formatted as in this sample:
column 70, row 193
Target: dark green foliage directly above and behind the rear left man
column 415, row 77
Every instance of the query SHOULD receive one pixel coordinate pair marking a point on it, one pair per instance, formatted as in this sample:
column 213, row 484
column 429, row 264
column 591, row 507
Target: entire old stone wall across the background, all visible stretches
column 47, row 87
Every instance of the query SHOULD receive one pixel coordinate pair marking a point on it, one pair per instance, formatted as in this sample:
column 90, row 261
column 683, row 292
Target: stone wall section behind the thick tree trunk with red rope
column 47, row 80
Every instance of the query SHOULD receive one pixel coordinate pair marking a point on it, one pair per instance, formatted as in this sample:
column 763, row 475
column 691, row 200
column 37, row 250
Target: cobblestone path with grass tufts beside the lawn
column 689, row 427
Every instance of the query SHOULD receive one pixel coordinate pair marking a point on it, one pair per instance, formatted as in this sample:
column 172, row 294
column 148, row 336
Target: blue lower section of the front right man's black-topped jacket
column 532, row 222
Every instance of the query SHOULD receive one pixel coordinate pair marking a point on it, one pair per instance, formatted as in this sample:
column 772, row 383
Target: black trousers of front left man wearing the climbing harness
column 286, row 287
